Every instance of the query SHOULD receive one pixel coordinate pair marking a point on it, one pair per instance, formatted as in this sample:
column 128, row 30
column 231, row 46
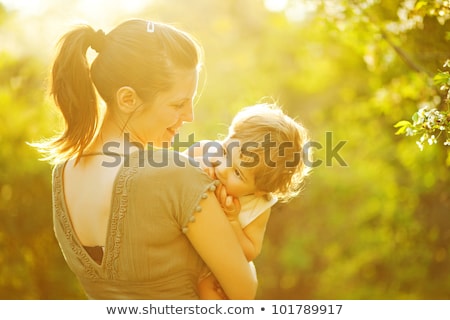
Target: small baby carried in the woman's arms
column 260, row 162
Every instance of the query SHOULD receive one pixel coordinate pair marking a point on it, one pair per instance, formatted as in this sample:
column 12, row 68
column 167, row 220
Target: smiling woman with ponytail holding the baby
column 135, row 230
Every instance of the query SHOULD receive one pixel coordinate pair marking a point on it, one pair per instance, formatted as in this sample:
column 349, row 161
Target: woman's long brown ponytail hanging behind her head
column 74, row 94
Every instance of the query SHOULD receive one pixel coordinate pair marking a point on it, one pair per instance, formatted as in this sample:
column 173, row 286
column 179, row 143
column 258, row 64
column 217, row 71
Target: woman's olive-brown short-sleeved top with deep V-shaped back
column 146, row 254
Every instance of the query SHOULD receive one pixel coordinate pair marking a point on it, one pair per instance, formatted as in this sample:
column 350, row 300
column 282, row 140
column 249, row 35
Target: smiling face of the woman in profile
column 157, row 122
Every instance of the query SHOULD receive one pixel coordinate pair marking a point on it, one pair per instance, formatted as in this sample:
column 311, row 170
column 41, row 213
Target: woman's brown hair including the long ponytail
column 137, row 53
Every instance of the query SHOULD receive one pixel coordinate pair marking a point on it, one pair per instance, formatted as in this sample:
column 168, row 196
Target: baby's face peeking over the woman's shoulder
column 237, row 179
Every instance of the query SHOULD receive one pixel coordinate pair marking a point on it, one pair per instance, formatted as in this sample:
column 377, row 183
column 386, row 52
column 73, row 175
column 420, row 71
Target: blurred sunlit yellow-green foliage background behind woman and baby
column 373, row 221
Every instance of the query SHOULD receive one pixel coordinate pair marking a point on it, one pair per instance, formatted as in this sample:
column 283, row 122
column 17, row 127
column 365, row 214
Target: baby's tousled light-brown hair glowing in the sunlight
column 284, row 178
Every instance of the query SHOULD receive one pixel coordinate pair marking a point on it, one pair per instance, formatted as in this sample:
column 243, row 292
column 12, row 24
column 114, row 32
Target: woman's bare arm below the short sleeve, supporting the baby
column 214, row 239
